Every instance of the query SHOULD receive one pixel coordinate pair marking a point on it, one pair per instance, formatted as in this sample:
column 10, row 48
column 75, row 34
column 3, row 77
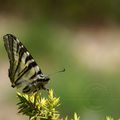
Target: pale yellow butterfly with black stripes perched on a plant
column 23, row 71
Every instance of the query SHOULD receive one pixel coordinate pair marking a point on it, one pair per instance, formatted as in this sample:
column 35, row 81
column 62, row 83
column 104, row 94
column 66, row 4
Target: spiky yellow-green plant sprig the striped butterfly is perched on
column 37, row 107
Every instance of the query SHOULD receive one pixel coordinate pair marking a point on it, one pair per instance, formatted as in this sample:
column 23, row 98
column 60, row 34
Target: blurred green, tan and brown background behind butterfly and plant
column 81, row 36
